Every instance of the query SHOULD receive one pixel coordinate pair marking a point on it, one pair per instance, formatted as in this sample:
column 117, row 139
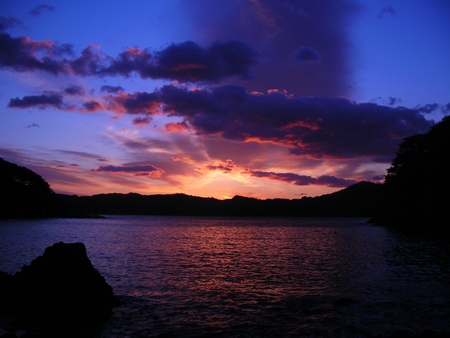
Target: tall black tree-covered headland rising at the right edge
column 417, row 184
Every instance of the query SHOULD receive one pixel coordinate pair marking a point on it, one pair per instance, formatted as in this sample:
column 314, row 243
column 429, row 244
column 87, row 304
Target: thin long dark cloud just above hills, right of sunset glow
column 330, row 181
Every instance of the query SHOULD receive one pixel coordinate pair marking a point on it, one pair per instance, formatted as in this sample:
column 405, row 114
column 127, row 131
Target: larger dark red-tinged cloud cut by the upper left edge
column 22, row 54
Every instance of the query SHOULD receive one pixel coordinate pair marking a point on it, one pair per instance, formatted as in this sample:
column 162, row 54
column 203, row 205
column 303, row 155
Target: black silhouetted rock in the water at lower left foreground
column 59, row 293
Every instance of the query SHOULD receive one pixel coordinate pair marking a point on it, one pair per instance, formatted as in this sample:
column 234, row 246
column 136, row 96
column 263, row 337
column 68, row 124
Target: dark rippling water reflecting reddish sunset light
column 251, row 277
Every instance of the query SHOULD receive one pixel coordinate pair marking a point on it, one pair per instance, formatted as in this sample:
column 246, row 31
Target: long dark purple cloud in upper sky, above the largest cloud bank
column 184, row 62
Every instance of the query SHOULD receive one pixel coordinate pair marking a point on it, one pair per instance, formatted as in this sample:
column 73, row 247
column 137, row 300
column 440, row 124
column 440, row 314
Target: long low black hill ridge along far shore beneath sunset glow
column 359, row 200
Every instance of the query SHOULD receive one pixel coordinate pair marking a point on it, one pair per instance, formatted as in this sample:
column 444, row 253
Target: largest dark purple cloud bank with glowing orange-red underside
column 308, row 126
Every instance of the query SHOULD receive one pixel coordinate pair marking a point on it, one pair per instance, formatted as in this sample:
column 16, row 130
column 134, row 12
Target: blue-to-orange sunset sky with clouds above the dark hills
column 217, row 98
